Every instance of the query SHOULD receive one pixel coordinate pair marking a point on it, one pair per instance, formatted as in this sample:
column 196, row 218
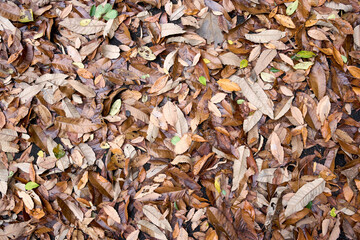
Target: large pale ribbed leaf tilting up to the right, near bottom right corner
column 304, row 195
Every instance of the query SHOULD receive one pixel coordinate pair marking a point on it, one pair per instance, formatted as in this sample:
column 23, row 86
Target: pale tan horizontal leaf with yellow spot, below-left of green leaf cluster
column 73, row 24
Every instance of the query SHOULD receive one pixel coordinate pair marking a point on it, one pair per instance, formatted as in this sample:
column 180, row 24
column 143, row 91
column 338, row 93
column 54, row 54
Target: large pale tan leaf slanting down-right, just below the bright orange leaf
column 256, row 95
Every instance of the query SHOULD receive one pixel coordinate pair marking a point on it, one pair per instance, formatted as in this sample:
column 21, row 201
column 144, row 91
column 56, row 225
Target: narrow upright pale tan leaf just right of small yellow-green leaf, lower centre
column 240, row 166
